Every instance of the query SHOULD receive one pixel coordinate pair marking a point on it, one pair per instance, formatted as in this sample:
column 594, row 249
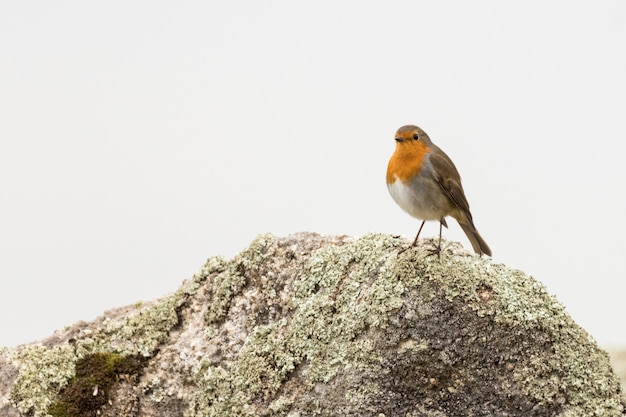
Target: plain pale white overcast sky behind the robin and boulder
column 138, row 138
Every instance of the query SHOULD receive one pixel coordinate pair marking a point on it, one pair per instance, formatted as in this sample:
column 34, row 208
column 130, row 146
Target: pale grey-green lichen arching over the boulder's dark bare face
column 343, row 290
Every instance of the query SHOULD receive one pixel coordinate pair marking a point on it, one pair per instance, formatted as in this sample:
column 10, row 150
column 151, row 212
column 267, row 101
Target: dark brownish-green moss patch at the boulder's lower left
column 88, row 391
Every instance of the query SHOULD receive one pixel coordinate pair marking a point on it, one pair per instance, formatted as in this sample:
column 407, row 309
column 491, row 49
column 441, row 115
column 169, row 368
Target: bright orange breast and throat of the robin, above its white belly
column 407, row 161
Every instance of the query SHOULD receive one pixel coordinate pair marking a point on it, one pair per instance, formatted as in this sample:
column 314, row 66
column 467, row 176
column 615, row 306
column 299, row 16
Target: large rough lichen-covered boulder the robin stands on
column 327, row 326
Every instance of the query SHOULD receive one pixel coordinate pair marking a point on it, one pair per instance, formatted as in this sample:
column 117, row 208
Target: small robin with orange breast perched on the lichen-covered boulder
column 424, row 182
